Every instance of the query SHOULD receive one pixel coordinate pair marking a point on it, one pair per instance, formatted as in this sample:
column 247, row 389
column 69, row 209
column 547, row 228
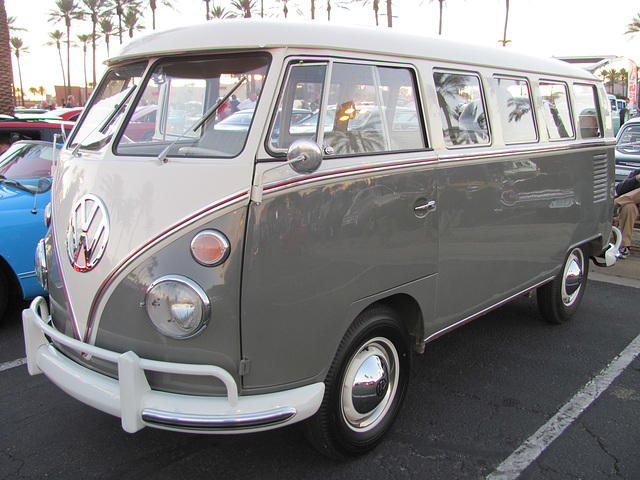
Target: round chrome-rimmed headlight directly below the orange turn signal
column 177, row 307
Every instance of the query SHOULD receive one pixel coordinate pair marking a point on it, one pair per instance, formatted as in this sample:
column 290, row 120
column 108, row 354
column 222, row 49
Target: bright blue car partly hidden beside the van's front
column 25, row 191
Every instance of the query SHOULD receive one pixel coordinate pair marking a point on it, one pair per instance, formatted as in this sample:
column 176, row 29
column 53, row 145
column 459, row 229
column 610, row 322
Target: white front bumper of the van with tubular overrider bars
column 131, row 398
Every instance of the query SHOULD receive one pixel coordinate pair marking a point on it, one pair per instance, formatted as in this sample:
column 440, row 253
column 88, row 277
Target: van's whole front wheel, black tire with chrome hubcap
column 354, row 419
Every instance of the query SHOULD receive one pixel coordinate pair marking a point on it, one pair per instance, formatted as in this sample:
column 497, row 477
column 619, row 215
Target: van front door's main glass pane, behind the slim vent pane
column 372, row 109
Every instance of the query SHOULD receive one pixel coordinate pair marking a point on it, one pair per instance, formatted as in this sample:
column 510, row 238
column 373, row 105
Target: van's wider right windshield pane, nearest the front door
column 188, row 106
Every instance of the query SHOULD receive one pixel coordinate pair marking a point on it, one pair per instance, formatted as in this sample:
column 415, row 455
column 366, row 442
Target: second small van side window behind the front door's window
column 516, row 114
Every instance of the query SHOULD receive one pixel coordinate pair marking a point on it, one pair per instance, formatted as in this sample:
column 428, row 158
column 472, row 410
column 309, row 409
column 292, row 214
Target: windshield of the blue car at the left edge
column 27, row 160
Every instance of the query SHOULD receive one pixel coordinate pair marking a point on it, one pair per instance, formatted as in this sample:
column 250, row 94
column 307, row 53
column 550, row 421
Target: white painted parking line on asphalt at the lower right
column 531, row 449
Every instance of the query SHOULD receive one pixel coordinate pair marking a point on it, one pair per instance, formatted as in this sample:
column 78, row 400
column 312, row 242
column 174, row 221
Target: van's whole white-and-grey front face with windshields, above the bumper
column 143, row 183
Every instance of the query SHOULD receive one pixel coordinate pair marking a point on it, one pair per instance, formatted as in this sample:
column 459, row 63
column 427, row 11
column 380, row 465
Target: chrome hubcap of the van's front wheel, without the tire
column 370, row 384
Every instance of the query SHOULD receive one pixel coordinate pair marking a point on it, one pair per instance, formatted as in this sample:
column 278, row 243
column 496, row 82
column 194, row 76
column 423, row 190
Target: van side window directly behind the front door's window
column 462, row 111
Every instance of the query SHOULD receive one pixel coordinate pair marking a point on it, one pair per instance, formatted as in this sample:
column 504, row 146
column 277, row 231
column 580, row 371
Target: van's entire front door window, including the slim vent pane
column 364, row 109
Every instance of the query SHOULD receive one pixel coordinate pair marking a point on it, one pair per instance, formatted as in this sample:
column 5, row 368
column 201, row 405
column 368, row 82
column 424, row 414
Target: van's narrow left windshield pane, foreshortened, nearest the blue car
column 108, row 106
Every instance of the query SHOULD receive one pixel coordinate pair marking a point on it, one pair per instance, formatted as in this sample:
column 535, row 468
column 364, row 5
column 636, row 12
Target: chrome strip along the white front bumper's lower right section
column 217, row 422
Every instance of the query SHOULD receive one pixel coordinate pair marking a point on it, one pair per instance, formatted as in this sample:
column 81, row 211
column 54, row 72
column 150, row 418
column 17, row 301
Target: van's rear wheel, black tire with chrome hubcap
column 559, row 299
